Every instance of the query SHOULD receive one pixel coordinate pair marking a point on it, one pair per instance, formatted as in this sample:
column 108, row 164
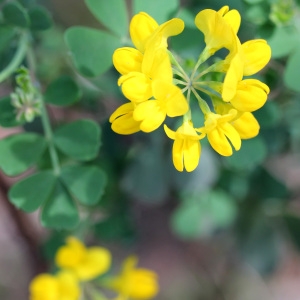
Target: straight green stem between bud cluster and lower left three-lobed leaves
column 49, row 137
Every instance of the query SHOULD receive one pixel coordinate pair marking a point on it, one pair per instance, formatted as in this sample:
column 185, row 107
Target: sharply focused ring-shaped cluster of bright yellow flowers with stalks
column 151, row 77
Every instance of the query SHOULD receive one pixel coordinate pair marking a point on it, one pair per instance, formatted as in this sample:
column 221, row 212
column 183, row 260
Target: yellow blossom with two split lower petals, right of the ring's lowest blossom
column 221, row 133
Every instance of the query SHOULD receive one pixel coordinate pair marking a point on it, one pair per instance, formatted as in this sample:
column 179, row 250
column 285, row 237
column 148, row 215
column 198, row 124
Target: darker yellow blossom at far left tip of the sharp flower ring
column 122, row 120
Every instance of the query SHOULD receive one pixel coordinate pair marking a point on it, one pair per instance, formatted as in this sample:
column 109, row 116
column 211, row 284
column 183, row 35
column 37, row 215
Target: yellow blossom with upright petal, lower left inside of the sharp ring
column 169, row 101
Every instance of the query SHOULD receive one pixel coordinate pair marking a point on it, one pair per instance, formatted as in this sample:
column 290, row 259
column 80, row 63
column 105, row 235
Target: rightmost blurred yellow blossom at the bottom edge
column 134, row 283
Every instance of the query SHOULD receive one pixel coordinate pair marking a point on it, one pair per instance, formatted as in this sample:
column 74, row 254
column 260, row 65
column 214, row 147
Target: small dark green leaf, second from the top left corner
column 40, row 18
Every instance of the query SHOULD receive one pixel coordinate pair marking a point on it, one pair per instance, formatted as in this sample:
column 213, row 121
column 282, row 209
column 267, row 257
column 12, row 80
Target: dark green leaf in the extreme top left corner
column 14, row 13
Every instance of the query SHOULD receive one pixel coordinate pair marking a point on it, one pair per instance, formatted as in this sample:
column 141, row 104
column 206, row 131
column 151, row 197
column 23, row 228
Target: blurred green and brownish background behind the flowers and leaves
column 230, row 230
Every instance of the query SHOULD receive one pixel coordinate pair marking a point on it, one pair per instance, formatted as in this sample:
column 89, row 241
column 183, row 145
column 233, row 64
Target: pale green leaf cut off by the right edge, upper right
column 291, row 72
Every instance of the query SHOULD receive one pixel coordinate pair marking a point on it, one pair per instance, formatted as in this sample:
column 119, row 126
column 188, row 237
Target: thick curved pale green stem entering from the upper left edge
column 17, row 59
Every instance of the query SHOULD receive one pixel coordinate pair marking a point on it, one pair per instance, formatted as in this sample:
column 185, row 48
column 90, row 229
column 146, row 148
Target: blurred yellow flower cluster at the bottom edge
column 79, row 264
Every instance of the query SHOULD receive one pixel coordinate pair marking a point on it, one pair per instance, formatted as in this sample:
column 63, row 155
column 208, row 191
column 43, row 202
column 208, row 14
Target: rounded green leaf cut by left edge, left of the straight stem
column 20, row 151
